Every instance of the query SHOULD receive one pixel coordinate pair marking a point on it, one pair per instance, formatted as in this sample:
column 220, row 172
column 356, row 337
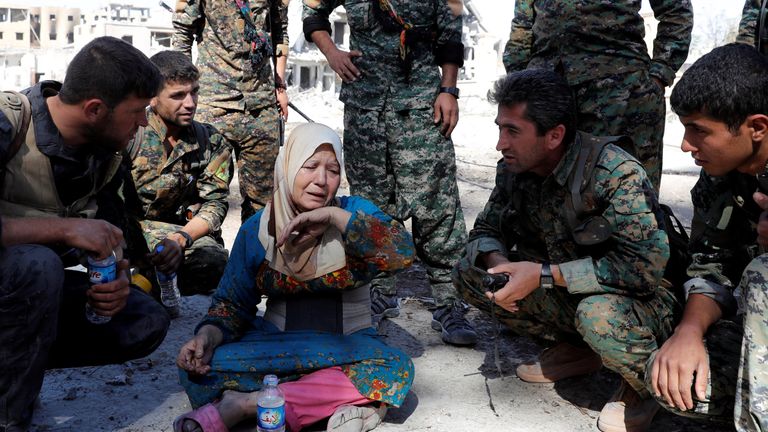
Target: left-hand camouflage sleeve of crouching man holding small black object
column 486, row 235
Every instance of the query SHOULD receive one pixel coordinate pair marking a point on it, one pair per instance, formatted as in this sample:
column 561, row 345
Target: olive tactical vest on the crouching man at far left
column 28, row 187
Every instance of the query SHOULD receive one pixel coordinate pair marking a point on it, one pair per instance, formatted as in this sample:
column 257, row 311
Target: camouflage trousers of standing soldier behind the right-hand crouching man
column 630, row 104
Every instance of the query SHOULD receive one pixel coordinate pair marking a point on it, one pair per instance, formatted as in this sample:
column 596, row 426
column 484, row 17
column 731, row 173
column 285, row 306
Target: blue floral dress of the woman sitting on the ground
column 254, row 347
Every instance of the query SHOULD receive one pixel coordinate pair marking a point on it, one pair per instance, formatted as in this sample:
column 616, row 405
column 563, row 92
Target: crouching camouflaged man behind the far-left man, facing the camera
column 181, row 171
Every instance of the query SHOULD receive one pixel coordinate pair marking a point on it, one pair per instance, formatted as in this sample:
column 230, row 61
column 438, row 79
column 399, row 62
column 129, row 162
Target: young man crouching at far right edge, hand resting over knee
column 715, row 365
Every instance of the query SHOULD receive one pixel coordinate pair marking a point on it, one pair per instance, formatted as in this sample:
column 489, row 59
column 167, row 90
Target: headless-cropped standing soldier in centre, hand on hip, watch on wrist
column 399, row 113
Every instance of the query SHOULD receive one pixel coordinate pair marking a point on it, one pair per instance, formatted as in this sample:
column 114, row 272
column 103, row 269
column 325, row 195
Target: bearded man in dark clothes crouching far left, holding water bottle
column 49, row 188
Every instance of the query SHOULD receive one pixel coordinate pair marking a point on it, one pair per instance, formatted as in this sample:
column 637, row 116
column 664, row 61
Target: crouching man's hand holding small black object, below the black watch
column 523, row 280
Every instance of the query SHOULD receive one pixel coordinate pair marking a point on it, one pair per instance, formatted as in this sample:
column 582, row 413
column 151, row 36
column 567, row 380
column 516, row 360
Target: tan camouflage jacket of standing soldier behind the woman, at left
column 228, row 77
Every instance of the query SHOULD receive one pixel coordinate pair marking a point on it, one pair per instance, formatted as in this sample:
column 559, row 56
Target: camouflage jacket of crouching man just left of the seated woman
column 192, row 174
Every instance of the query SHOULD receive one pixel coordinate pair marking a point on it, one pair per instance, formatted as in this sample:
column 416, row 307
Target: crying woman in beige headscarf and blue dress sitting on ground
column 312, row 254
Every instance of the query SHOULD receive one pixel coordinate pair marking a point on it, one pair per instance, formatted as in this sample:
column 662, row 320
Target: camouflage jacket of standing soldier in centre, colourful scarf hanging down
column 383, row 81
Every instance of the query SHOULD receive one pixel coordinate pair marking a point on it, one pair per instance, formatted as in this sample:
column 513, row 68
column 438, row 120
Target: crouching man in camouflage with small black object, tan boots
column 590, row 280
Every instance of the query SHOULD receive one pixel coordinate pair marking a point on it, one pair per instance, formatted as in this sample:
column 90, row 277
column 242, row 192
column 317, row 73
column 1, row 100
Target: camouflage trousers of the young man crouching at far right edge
column 737, row 384
